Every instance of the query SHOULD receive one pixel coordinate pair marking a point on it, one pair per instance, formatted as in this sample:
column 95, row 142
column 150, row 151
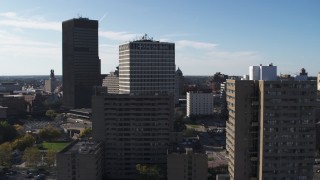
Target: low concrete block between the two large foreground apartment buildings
column 187, row 165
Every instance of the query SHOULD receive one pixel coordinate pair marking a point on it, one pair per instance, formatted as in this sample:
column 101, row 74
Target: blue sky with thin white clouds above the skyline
column 210, row 35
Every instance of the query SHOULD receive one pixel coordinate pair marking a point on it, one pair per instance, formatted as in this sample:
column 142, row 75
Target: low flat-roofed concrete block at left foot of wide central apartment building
column 81, row 160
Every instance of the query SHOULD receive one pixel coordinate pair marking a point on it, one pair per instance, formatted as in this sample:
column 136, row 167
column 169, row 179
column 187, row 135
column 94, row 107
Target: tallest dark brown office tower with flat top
column 80, row 61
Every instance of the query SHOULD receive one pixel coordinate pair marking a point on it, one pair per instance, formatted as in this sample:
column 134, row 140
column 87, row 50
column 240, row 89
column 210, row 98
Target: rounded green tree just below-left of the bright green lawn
column 32, row 156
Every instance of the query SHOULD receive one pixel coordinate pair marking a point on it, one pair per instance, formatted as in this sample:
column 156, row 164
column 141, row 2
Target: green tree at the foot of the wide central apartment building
column 146, row 172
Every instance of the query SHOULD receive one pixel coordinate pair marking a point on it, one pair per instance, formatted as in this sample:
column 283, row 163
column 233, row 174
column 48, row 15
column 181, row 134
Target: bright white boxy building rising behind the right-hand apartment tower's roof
column 267, row 73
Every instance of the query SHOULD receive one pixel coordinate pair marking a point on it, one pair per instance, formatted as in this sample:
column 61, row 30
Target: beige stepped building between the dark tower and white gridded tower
column 112, row 82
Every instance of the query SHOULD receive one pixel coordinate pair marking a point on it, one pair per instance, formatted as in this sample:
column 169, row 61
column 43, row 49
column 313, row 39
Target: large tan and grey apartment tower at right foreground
column 271, row 128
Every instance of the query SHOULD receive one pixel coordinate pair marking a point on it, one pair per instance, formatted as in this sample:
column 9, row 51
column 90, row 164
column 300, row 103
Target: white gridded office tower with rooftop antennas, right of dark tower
column 146, row 66
